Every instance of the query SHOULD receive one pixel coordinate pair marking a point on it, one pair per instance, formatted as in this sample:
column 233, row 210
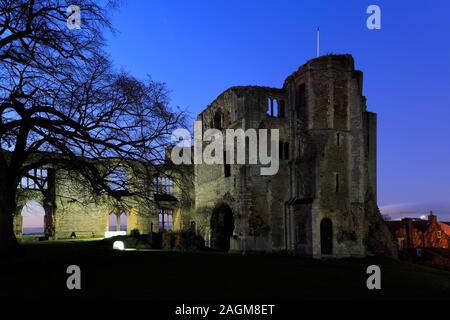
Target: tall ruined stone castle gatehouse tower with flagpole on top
column 322, row 202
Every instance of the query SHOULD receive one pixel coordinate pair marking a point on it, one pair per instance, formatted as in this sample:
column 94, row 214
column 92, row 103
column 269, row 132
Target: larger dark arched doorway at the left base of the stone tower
column 222, row 226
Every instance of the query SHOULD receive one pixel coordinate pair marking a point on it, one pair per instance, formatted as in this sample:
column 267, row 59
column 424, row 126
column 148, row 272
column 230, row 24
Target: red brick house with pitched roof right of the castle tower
column 416, row 233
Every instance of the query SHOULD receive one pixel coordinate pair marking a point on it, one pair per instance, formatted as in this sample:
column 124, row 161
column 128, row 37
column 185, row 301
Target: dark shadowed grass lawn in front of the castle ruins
column 38, row 271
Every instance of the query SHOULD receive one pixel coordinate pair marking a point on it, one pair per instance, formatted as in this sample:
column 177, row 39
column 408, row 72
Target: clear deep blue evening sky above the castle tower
column 200, row 48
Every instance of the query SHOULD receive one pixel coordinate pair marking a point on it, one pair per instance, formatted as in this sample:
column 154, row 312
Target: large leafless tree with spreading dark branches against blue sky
column 63, row 106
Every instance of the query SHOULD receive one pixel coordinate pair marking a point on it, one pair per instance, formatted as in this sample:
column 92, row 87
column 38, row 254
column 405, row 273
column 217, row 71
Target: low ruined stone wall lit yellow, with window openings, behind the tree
column 76, row 210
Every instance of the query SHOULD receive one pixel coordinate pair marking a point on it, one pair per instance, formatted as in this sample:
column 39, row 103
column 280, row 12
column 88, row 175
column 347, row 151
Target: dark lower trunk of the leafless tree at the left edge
column 8, row 241
